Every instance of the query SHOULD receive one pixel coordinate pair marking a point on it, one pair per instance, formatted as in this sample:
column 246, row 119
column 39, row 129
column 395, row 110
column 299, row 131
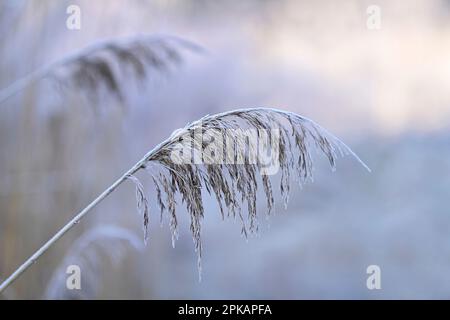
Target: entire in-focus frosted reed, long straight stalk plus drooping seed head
column 231, row 184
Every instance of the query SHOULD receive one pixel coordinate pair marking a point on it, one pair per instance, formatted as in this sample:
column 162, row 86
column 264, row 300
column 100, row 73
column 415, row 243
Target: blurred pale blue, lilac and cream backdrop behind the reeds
column 385, row 92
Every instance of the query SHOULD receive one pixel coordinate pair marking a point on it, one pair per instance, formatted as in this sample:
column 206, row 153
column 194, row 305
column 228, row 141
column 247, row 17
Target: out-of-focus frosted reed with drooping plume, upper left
column 106, row 64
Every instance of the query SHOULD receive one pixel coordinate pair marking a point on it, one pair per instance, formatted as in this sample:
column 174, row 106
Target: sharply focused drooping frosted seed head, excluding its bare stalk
column 229, row 155
